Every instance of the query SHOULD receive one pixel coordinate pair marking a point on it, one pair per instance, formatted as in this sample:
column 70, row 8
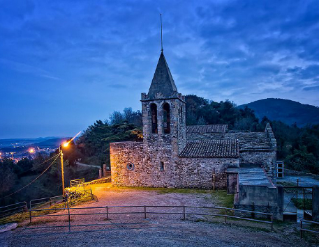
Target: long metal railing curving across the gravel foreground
column 184, row 212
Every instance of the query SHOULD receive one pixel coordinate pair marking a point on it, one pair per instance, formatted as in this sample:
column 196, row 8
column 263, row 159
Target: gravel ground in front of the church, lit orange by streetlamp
column 132, row 229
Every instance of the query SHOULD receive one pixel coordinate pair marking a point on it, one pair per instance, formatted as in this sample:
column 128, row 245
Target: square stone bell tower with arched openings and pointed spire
column 163, row 109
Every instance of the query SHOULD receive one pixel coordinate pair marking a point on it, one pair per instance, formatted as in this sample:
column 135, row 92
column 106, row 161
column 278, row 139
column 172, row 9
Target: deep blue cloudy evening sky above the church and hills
column 65, row 64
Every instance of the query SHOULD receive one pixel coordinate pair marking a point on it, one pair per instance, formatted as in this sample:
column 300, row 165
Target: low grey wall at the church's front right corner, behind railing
column 261, row 198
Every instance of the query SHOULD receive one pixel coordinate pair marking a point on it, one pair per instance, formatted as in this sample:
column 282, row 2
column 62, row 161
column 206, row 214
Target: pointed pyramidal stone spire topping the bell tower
column 163, row 84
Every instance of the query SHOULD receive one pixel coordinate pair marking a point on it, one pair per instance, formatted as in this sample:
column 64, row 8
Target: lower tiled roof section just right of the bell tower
column 211, row 149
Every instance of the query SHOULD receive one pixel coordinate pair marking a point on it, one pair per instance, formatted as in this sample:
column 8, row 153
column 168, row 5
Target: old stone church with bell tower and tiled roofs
column 173, row 154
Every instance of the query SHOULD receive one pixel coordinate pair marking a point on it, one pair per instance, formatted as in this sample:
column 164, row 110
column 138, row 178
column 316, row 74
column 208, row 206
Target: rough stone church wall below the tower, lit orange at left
column 156, row 166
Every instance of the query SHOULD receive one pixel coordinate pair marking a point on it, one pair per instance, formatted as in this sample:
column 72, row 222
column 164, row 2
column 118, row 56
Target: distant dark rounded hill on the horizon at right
column 287, row 111
